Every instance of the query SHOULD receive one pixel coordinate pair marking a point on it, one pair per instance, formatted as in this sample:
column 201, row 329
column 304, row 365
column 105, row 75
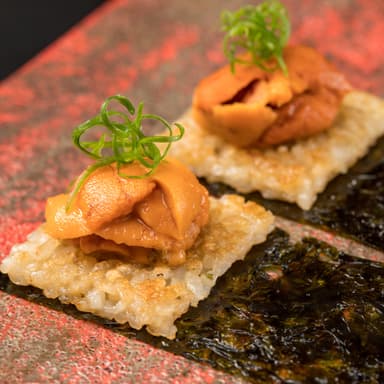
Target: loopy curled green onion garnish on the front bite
column 124, row 141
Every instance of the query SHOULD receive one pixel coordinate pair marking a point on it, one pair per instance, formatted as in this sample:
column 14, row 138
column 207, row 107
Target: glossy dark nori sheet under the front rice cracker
column 289, row 313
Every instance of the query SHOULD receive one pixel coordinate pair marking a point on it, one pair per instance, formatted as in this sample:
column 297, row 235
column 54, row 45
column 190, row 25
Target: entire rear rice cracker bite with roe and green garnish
column 278, row 119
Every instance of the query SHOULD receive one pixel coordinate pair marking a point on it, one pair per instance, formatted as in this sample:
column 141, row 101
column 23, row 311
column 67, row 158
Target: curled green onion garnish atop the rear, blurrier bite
column 262, row 30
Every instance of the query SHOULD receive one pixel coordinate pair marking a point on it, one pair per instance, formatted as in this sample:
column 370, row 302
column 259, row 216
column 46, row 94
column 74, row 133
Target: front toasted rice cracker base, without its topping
column 142, row 296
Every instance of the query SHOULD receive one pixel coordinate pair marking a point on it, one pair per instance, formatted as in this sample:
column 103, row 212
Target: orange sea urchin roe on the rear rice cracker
column 256, row 108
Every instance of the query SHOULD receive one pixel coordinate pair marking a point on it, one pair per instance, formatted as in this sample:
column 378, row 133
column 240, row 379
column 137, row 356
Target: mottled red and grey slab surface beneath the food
column 152, row 51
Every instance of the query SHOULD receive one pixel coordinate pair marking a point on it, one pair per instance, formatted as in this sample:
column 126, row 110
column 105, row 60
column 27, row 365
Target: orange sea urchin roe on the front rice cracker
column 128, row 216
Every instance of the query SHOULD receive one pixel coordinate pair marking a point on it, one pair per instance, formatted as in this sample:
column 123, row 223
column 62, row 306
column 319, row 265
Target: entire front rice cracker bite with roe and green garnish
column 137, row 239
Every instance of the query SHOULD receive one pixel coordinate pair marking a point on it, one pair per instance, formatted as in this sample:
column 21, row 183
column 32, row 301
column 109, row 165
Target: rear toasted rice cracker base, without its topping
column 295, row 173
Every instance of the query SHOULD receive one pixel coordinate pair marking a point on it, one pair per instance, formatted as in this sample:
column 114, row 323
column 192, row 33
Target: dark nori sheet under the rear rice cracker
column 352, row 205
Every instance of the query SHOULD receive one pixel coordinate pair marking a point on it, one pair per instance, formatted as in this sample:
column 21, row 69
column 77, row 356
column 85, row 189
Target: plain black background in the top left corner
column 27, row 26
